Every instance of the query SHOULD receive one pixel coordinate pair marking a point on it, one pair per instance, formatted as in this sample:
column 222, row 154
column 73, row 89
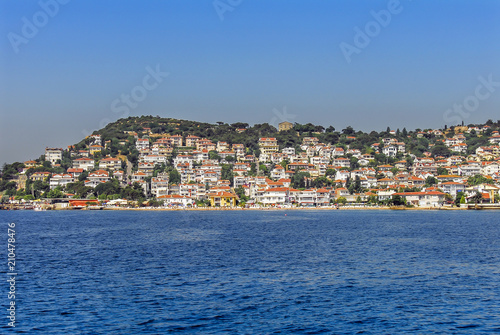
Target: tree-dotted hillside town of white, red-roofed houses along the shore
column 158, row 162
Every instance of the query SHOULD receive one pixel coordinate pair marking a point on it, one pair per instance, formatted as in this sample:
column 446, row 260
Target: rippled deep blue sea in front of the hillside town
column 254, row 272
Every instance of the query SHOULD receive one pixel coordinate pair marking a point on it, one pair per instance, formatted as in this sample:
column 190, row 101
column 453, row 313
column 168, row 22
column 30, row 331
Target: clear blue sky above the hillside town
column 69, row 67
